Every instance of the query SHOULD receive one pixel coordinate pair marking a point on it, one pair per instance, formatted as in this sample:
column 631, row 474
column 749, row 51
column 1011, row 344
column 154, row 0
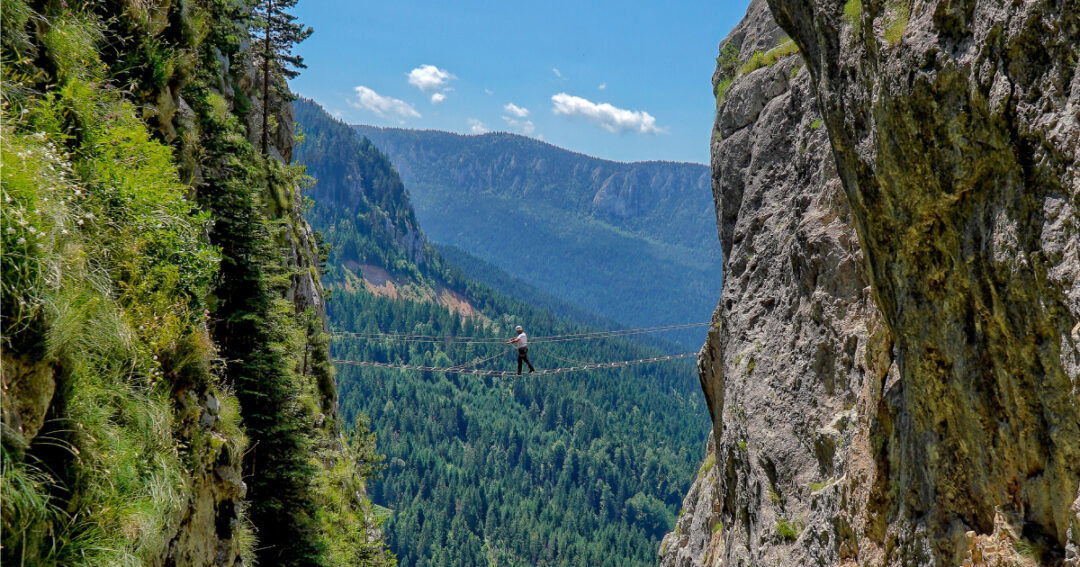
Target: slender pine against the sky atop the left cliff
column 279, row 32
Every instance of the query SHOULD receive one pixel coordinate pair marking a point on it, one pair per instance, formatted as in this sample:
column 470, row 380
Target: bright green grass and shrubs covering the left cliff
column 105, row 274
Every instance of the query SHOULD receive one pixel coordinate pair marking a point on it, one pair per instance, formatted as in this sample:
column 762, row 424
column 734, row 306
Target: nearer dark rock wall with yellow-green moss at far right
column 955, row 130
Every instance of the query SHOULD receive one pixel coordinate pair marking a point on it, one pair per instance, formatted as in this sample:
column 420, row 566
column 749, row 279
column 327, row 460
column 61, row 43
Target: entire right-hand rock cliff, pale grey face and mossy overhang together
column 927, row 409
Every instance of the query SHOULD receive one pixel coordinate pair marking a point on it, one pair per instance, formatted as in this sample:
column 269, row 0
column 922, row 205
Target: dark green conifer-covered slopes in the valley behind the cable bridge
column 579, row 469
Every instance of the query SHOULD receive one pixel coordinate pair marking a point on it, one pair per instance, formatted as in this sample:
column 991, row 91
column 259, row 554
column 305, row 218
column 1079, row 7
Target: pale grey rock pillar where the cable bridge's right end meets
column 796, row 346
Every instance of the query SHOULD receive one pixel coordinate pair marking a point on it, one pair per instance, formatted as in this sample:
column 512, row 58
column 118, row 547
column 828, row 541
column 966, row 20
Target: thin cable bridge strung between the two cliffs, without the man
column 472, row 369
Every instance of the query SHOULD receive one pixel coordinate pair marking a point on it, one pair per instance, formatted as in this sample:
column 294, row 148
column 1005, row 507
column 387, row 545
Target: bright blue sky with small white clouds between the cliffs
column 623, row 80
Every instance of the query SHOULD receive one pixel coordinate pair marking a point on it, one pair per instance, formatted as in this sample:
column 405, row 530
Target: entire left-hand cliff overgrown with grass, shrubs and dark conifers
column 169, row 398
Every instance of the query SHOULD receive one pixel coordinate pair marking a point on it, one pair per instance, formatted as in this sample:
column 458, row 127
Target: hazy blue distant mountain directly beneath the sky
column 633, row 242
